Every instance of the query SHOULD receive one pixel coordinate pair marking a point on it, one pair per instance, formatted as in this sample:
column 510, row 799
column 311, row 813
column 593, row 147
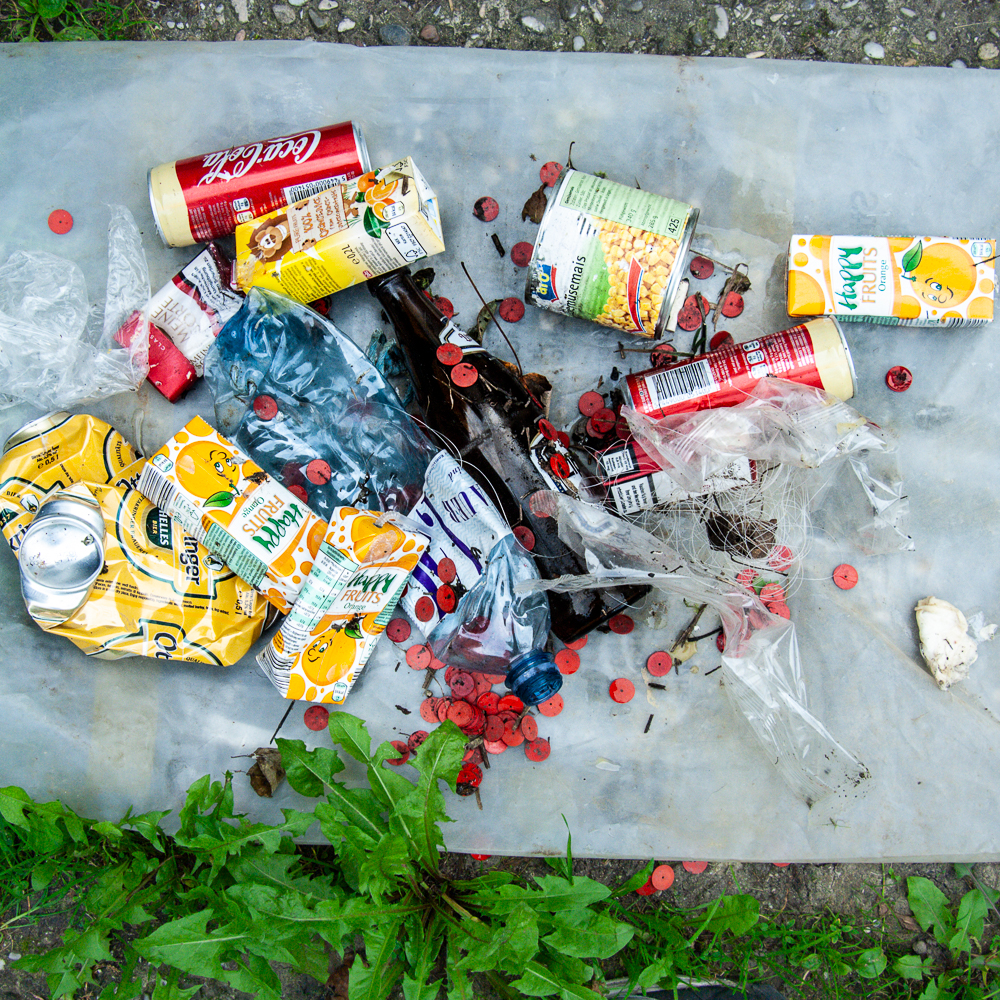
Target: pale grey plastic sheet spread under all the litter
column 765, row 149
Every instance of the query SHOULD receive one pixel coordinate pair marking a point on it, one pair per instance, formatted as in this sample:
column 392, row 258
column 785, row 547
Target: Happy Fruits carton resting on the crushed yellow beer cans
column 263, row 533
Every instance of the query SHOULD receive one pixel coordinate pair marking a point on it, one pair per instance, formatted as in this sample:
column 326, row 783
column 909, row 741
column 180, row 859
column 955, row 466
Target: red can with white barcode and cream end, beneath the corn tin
column 814, row 353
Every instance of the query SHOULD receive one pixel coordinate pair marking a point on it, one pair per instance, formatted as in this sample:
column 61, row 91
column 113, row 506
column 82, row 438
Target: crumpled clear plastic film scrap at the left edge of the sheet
column 54, row 349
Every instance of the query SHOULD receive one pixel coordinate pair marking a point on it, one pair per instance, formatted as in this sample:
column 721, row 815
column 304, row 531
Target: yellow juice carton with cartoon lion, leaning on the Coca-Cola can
column 347, row 234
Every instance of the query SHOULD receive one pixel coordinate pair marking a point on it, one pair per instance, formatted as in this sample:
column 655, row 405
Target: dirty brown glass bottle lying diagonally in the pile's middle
column 480, row 405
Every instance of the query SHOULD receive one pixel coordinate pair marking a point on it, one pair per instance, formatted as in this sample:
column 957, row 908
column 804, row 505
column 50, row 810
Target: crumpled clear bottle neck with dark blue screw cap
column 497, row 631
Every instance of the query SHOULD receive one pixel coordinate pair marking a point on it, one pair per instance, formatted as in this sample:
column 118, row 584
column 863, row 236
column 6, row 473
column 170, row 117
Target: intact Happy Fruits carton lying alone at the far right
column 892, row 280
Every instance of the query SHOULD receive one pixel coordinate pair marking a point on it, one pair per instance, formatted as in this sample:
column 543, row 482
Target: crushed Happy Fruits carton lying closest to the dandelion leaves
column 362, row 567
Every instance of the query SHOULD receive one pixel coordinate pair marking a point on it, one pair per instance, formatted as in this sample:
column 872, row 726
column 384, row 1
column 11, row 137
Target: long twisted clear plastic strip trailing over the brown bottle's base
column 761, row 659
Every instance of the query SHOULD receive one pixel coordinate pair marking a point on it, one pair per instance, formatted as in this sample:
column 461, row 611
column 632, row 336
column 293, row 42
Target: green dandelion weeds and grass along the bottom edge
column 227, row 899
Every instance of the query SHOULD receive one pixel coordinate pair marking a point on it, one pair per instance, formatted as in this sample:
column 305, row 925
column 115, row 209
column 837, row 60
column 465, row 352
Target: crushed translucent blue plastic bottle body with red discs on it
column 312, row 410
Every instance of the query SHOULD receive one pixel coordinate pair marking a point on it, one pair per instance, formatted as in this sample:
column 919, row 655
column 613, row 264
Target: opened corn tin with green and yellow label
column 610, row 253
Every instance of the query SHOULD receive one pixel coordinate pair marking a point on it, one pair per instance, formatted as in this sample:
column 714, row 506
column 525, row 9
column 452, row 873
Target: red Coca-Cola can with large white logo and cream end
column 205, row 197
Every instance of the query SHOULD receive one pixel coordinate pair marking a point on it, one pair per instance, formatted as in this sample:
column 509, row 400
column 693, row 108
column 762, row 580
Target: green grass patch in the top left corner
column 70, row 20
